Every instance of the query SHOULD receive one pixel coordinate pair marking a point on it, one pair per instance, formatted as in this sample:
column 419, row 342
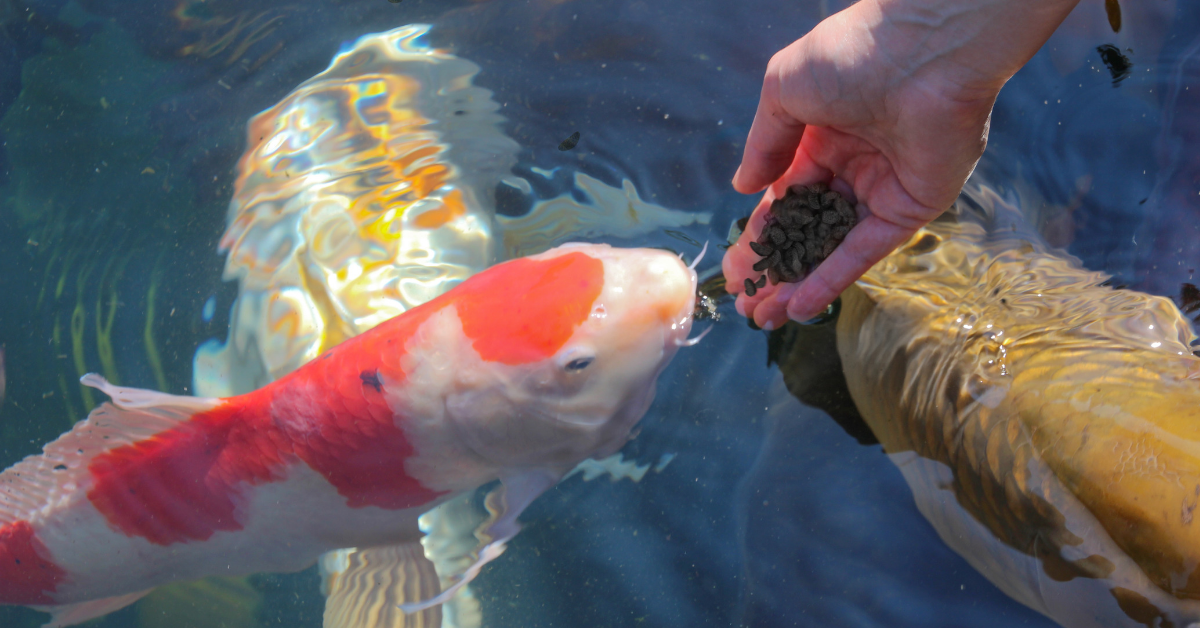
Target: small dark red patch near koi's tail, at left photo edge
column 26, row 576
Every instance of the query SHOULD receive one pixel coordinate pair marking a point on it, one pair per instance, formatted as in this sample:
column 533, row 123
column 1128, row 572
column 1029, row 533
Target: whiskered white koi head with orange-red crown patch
column 566, row 351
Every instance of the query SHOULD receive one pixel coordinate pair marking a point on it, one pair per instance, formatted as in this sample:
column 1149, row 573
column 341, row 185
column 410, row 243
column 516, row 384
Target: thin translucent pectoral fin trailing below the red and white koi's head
column 514, row 497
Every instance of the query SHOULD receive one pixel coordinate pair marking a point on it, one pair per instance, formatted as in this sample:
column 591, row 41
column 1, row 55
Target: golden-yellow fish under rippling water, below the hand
column 1049, row 426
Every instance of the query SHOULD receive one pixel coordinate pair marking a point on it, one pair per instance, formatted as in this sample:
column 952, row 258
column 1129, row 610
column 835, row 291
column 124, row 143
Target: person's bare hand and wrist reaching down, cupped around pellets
column 890, row 100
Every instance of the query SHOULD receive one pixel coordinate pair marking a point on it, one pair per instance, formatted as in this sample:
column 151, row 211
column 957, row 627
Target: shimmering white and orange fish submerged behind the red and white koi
column 369, row 190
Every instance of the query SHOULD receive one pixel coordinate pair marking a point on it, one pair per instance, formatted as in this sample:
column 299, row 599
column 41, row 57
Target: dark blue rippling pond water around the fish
column 117, row 169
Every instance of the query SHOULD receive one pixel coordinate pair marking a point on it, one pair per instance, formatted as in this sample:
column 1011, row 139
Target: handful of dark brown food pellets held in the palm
column 802, row 230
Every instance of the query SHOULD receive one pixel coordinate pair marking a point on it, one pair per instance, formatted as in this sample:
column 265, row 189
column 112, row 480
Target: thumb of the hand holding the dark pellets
column 773, row 140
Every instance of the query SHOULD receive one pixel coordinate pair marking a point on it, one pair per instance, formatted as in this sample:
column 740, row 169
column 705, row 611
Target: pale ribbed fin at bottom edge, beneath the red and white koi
column 368, row 587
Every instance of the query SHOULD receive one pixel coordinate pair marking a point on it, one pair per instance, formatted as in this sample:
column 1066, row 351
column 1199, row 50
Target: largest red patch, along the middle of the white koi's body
column 188, row 483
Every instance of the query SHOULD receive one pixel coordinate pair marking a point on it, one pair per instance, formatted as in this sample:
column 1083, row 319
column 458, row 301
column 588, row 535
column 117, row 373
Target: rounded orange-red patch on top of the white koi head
column 526, row 310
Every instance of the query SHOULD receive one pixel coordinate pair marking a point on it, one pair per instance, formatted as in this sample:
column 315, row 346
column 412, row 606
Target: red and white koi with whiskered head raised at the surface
column 518, row 375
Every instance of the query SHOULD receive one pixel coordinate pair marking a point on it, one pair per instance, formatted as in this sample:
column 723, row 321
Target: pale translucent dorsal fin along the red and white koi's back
column 61, row 471
